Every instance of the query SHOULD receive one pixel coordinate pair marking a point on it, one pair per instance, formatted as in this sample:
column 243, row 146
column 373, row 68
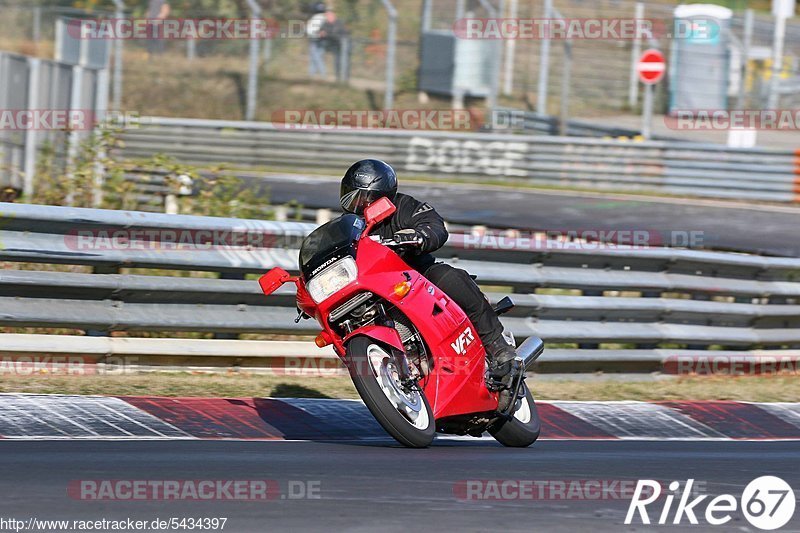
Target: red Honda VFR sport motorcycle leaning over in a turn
column 412, row 353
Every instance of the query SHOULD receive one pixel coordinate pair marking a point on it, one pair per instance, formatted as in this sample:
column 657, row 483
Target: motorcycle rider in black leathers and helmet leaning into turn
column 421, row 230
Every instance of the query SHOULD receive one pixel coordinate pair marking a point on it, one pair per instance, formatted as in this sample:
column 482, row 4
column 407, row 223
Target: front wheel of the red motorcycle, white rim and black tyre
column 405, row 415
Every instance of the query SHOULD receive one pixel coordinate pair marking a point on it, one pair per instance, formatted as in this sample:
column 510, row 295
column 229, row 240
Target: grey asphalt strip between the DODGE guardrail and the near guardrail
column 763, row 229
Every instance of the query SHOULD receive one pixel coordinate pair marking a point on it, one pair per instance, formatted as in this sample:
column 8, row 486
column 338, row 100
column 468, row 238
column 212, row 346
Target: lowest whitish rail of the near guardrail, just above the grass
column 72, row 354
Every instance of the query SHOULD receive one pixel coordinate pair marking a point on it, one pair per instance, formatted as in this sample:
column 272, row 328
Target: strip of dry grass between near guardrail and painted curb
column 751, row 388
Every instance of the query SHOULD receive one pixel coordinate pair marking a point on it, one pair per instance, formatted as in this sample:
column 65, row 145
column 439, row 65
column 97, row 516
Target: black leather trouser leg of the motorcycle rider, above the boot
column 459, row 286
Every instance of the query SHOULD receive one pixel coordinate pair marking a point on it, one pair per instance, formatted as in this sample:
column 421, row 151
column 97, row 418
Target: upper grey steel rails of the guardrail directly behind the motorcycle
column 644, row 298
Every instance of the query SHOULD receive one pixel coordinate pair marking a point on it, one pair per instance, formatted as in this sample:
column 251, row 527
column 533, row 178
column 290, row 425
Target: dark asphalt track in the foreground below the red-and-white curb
column 378, row 486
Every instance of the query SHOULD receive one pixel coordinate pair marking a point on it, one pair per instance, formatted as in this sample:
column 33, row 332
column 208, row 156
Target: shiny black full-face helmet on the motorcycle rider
column 366, row 181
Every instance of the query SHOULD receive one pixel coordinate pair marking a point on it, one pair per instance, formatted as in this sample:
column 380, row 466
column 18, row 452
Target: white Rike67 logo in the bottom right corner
column 767, row 503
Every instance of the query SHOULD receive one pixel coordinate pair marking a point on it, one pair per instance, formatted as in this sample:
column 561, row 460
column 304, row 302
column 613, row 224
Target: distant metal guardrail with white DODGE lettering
column 707, row 170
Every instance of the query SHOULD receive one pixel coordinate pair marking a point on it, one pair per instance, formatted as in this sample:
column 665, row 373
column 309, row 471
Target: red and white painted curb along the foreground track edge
column 37, row 416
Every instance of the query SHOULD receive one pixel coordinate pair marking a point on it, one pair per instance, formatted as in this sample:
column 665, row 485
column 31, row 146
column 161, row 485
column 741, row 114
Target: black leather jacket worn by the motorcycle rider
column 419, row 216
